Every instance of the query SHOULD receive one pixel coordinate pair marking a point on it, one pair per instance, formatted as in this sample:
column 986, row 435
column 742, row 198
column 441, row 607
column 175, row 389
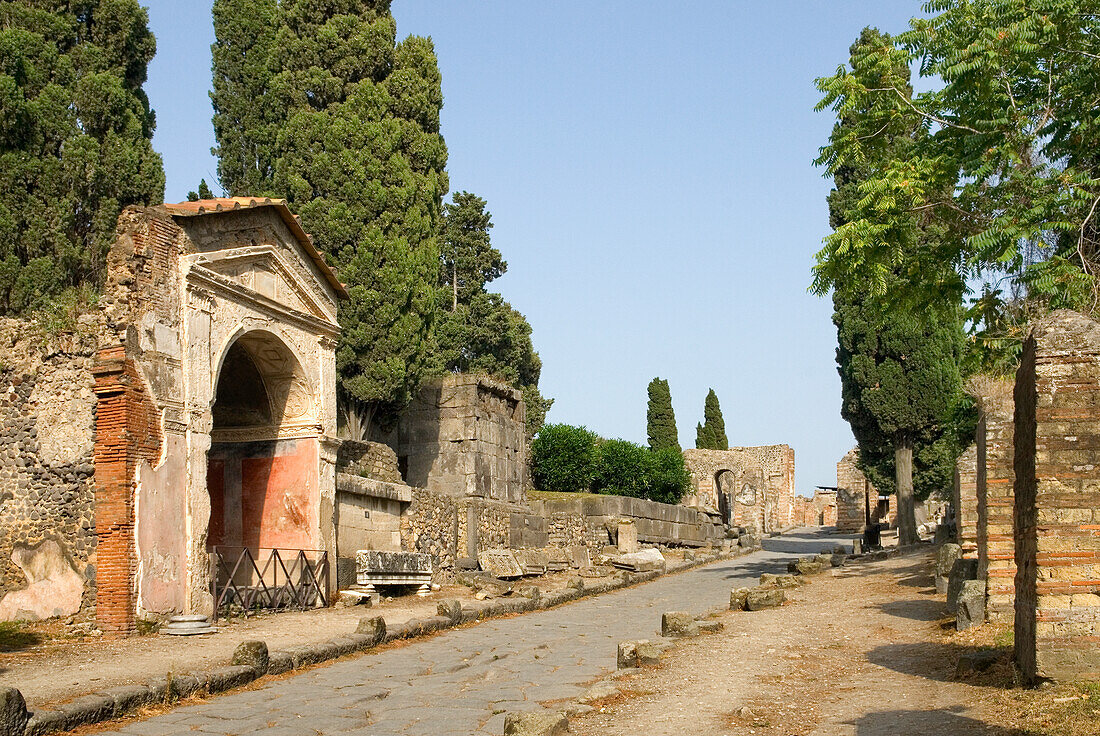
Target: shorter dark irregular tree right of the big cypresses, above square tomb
column 478, row 332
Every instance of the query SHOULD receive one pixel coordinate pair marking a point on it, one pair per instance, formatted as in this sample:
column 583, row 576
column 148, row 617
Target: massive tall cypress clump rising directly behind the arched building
column 359, row 156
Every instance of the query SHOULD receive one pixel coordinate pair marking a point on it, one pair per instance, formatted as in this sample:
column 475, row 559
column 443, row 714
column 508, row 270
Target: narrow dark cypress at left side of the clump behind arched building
column 246, row 118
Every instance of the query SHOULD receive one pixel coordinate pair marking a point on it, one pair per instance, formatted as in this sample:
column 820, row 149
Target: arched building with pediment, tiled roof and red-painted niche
column 217, row 407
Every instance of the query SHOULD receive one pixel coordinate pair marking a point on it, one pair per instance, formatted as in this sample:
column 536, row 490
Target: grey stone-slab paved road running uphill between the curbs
column 464, row 682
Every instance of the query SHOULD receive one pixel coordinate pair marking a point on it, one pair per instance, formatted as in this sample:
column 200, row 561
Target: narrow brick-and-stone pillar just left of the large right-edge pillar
column 995, row 478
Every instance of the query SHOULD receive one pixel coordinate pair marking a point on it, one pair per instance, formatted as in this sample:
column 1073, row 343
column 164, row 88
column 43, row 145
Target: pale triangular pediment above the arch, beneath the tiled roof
column 263, row 271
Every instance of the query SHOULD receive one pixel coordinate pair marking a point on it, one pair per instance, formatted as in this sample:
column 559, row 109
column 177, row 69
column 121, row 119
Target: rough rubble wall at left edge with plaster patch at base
column 48, row 520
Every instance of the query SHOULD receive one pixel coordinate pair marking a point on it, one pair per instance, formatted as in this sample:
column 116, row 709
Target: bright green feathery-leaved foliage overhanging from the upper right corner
column 1003, row 161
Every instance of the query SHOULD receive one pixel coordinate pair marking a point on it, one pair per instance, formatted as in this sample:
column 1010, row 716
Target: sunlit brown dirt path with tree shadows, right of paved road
column 863, row 651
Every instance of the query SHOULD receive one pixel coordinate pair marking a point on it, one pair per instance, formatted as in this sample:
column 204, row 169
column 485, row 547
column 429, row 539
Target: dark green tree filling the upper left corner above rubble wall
column 76, row 135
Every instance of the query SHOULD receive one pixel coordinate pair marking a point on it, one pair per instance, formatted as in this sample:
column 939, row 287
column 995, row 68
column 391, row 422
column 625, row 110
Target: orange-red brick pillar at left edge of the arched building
column 127, row 432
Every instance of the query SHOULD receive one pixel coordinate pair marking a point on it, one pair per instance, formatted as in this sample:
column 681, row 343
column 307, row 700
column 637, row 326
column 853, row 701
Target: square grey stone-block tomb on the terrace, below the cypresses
column 466, row 436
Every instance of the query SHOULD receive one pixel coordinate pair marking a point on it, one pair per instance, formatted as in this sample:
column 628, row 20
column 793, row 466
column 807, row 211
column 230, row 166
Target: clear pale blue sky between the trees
column 648, row 167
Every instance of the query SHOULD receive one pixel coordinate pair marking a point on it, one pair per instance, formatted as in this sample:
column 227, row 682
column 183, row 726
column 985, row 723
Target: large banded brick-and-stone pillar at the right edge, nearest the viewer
column 1057, row 501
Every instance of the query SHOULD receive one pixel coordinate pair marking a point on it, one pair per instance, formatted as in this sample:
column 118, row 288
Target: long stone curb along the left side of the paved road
column 117, row 702
